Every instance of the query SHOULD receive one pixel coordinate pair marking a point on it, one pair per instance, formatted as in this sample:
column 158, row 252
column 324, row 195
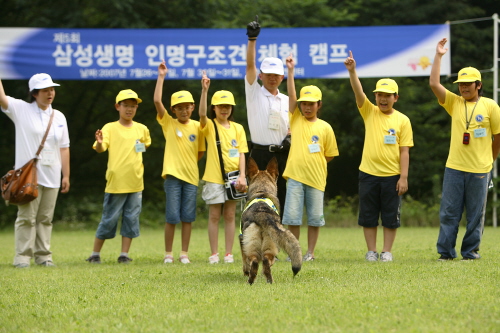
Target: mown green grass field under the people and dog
column 338, row 292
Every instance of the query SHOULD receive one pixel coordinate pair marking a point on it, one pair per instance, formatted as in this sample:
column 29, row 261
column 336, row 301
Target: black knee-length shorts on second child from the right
column 378, row 197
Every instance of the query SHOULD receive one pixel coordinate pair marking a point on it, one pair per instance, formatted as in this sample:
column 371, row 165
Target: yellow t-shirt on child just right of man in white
column 307, row 164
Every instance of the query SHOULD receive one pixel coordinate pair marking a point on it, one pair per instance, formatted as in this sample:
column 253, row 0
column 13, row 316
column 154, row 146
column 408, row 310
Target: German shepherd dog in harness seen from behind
column 261, row 229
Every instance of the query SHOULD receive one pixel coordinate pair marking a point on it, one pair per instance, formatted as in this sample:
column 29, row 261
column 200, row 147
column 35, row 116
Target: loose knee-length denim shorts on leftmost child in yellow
column 127, row 205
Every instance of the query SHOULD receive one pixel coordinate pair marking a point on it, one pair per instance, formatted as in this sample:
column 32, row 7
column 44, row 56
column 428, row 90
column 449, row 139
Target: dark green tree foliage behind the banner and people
column 88, row 105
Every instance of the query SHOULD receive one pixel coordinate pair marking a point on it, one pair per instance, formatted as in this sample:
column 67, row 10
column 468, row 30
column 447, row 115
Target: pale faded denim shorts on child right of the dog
column 298, row 194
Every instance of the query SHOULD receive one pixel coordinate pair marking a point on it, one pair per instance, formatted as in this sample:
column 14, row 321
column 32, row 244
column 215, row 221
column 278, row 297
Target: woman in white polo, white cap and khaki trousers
column 33, row 227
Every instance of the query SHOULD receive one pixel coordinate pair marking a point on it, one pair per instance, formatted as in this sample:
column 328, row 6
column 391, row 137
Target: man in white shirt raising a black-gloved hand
column 267, row 110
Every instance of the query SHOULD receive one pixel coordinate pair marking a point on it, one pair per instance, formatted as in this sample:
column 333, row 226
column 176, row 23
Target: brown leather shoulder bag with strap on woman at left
column 20, row 186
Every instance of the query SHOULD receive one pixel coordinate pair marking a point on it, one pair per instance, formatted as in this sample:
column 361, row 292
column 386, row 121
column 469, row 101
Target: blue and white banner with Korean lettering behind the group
column 134, row 54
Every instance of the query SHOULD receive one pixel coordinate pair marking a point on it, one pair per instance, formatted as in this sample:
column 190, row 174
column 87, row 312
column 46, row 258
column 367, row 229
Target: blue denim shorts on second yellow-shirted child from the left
column 181, row 200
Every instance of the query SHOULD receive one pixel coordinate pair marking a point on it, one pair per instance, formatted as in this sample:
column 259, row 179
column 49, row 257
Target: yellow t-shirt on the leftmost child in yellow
column 125, row 169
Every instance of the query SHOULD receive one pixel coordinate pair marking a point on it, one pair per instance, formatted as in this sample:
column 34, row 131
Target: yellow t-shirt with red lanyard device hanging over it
column 476, row 157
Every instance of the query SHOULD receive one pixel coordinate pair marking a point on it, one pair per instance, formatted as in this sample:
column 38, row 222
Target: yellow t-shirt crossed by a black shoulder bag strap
column 233, row 142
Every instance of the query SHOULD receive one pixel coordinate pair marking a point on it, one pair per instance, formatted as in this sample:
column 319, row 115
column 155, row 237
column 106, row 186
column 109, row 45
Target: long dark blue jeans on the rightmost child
column 462, row 190
